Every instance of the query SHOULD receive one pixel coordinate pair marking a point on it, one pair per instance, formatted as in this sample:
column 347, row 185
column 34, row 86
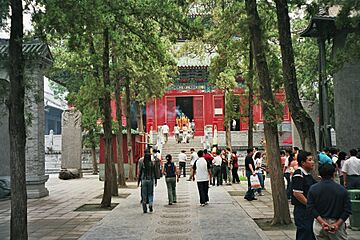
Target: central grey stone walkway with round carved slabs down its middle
column 221, row 219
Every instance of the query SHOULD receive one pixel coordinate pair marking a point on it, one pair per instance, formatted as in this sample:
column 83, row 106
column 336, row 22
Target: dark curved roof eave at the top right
column 320, row 26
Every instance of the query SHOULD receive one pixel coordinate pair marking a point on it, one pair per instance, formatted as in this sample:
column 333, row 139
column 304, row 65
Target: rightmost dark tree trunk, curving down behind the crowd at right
column 301, row 118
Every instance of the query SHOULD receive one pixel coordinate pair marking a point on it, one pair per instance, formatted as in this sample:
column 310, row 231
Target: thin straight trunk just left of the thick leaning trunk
column 250, row 83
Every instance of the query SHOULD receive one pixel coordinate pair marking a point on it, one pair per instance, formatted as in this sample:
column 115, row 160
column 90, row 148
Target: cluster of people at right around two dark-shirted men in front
column 321, row 208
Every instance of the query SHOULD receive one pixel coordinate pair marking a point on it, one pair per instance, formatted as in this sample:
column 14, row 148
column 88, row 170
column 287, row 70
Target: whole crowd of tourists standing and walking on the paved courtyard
column 320, row 208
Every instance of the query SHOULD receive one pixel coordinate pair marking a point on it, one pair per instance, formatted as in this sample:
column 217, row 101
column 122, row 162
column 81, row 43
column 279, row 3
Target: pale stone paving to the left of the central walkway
column 53, row 217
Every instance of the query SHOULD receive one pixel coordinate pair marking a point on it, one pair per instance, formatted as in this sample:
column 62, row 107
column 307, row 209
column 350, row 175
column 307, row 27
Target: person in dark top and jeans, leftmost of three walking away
column 147, row 178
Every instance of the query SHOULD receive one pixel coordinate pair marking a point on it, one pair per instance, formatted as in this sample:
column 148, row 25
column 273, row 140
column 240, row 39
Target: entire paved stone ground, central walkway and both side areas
column 226, row 217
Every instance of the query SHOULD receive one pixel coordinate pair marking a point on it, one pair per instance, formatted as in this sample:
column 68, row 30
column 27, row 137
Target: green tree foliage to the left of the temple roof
column 141, row 34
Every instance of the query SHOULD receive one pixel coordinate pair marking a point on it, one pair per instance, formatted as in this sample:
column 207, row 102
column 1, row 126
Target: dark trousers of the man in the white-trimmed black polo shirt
column 304, row 223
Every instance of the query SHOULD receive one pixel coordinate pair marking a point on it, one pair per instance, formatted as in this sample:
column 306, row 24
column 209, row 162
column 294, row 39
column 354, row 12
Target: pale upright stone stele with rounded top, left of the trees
column 71, row 141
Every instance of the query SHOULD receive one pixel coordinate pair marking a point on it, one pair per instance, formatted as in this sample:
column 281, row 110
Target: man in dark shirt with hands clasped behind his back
column 329, row 204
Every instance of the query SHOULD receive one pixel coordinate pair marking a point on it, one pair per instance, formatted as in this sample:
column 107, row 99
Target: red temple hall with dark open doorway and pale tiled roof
column 193, row 97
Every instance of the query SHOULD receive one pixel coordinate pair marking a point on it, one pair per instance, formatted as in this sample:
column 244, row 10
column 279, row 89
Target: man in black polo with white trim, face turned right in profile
column 301, row 182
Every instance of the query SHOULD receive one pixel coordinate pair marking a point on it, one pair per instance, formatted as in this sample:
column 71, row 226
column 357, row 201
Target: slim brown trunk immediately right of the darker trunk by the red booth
column 119, row 138
